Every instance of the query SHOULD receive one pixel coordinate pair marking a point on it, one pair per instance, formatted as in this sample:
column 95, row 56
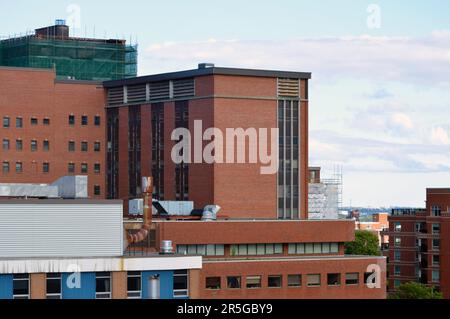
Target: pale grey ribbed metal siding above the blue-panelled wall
column 60, row 230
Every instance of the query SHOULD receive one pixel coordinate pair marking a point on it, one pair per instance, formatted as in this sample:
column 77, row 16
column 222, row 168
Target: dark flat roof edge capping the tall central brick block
column 207, row 71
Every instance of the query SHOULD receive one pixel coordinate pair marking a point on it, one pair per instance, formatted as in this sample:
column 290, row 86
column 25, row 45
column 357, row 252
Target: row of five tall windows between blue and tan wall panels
column 21, row 285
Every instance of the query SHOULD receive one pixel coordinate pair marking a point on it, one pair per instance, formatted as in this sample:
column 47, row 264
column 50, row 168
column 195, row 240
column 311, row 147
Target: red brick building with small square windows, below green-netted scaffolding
column 51, row 128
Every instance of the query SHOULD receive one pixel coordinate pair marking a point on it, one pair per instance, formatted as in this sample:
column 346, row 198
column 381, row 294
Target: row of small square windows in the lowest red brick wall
column 277, row 281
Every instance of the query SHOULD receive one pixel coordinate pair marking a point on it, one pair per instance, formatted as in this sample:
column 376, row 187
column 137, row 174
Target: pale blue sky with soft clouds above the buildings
column 380, row 93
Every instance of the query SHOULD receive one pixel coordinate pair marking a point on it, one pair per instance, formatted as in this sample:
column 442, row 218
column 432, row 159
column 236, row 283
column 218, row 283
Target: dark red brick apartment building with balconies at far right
column 419, row 243
